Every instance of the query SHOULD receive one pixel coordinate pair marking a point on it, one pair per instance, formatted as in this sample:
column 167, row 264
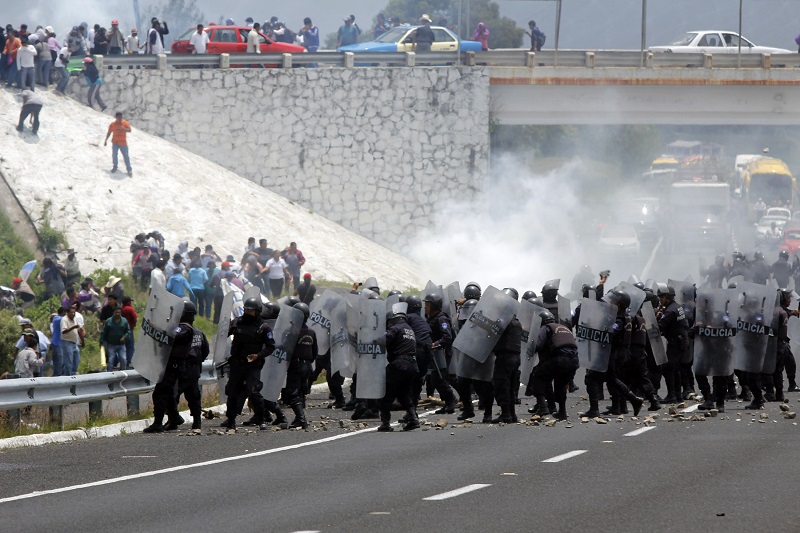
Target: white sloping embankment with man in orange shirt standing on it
column 66, row 172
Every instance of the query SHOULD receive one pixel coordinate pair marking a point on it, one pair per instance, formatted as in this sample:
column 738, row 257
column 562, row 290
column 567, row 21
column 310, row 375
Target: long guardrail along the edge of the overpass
column 491, row 58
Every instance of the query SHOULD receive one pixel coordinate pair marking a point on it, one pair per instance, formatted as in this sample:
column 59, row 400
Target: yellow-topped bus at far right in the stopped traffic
column 768, row 179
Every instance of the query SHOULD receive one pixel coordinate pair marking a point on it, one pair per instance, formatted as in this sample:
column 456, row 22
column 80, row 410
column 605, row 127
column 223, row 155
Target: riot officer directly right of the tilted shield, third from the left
column 305, row 352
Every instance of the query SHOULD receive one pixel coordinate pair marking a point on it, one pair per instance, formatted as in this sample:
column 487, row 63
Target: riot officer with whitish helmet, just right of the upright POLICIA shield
column 401, row 347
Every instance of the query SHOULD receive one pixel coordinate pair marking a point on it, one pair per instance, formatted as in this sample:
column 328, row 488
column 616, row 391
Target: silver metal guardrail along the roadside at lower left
column 68, row 390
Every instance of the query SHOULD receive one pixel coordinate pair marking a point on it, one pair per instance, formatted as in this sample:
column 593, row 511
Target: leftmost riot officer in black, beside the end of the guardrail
column 189, row 350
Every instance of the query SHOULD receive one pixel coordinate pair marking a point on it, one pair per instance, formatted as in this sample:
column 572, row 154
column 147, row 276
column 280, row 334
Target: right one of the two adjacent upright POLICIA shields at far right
column 756, row 308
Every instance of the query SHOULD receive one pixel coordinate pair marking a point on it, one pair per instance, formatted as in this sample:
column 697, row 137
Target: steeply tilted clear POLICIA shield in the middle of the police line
column 482, row 330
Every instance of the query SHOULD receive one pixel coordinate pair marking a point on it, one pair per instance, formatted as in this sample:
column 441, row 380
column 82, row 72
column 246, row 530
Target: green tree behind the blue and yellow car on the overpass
column 504, row 31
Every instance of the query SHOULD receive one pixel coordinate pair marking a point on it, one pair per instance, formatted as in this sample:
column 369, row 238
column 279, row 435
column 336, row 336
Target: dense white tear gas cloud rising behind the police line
column 521, row 231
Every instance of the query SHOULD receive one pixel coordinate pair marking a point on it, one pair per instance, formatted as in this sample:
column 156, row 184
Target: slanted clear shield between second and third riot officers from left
column 286, row 333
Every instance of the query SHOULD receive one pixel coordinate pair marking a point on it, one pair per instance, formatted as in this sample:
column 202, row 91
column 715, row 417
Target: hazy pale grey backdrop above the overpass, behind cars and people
column 766, row 22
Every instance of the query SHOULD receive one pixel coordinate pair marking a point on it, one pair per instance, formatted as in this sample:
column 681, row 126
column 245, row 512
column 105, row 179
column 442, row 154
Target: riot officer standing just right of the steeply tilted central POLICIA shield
column 506, row 367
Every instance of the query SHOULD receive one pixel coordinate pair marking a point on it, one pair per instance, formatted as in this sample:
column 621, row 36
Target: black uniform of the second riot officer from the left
column 251, row 335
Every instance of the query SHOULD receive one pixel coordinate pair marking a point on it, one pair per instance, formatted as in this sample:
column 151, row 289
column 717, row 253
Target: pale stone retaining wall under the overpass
column 375, row 149
